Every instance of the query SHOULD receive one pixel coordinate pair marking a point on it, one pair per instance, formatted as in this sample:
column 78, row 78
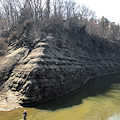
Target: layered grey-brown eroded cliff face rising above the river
column 53, row 64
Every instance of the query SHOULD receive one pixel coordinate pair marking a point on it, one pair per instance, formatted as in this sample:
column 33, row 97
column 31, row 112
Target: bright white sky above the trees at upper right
column 110, row 9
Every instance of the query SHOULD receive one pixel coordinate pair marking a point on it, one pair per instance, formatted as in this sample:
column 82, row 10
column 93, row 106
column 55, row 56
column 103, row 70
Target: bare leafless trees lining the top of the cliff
column 14, row 13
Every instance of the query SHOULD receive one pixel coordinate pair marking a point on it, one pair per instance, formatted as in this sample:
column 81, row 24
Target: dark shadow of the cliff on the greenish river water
column 94, row 87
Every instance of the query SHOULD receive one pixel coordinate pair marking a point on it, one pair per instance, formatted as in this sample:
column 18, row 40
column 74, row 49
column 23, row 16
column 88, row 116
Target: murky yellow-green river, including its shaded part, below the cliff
column 99, row 99
